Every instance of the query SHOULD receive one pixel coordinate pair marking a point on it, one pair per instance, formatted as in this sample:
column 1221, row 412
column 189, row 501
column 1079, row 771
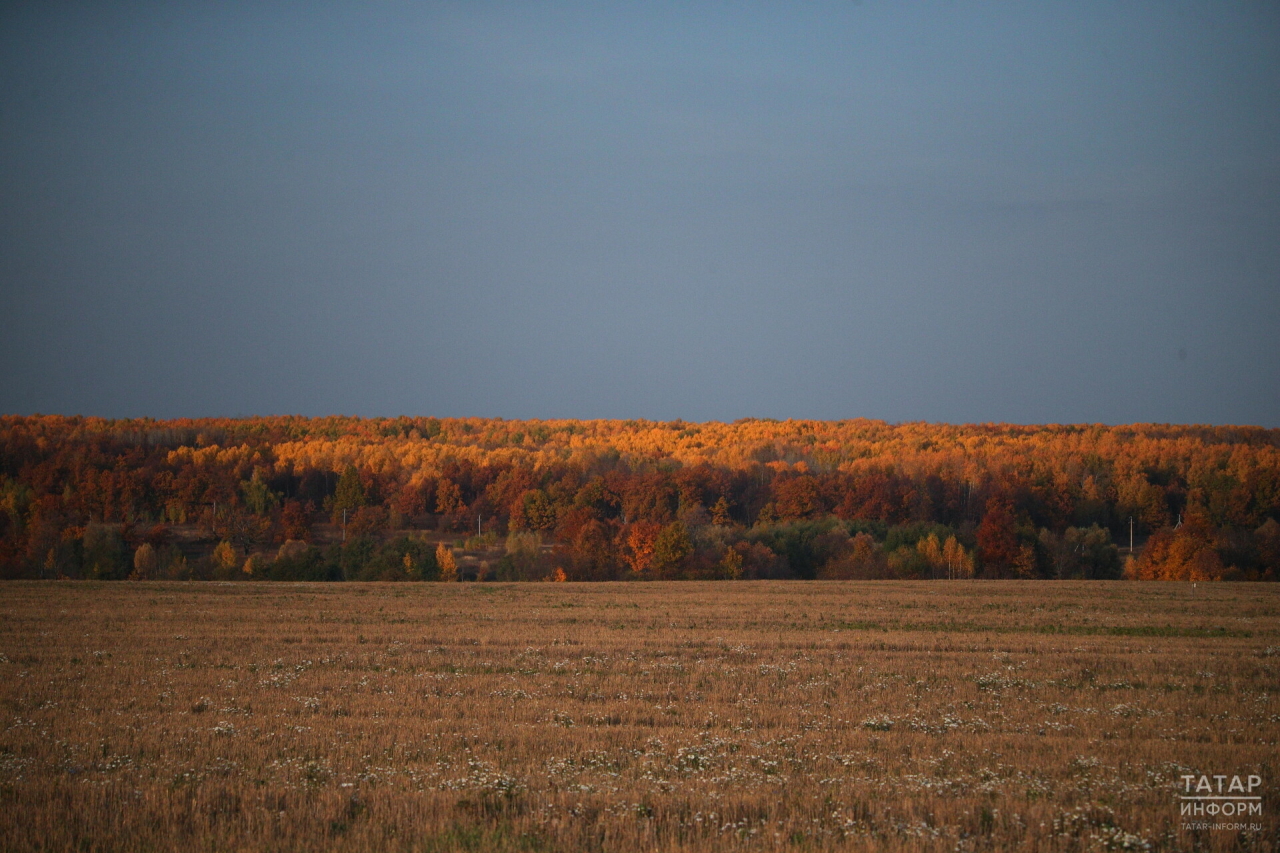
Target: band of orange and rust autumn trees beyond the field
column 432, row 499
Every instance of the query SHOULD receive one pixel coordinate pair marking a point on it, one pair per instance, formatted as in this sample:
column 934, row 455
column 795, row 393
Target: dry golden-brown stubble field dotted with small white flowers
column 808, row 717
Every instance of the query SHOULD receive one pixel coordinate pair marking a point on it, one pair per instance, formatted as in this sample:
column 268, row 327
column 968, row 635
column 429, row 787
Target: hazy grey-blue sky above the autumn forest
column 948, row 212
